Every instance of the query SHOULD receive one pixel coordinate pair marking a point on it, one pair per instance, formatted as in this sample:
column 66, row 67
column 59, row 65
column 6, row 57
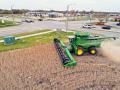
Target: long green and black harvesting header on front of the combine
column 64, row 54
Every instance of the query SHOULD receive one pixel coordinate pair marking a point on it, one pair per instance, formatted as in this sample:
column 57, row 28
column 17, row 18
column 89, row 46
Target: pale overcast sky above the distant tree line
column 96, row 5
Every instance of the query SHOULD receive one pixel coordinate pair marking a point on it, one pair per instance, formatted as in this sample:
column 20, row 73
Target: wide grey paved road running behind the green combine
column 74, row 25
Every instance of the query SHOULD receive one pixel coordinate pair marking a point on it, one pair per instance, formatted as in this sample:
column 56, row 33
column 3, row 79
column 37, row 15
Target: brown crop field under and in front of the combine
column 40, row 68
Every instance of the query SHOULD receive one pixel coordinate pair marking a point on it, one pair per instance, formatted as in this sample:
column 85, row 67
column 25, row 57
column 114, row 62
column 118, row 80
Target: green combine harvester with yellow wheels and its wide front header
column 80, row 43
